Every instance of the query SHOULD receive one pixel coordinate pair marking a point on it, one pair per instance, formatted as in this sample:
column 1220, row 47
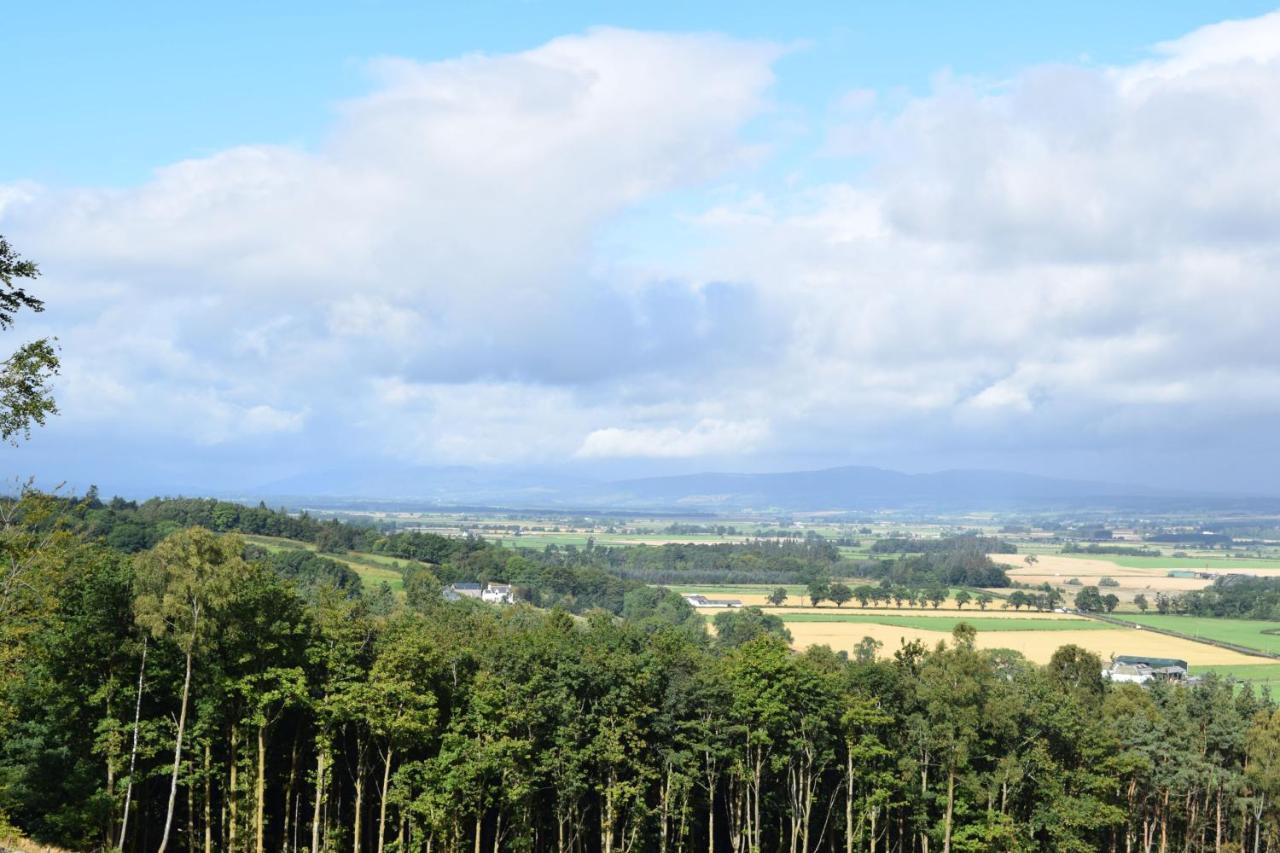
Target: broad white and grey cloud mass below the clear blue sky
column 1075, row 263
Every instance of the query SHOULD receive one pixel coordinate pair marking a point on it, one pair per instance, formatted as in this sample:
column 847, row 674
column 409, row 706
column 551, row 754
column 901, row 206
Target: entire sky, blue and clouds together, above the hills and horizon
column 611, row 240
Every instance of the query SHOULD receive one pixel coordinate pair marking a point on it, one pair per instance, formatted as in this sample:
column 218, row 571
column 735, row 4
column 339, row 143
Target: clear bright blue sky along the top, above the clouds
column 108, row 93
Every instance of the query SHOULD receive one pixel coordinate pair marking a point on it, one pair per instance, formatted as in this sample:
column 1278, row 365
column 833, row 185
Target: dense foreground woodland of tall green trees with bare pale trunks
column 186, row 699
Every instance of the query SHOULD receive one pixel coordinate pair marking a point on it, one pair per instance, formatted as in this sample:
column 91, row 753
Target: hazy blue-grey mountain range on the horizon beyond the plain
column 835, row 489
